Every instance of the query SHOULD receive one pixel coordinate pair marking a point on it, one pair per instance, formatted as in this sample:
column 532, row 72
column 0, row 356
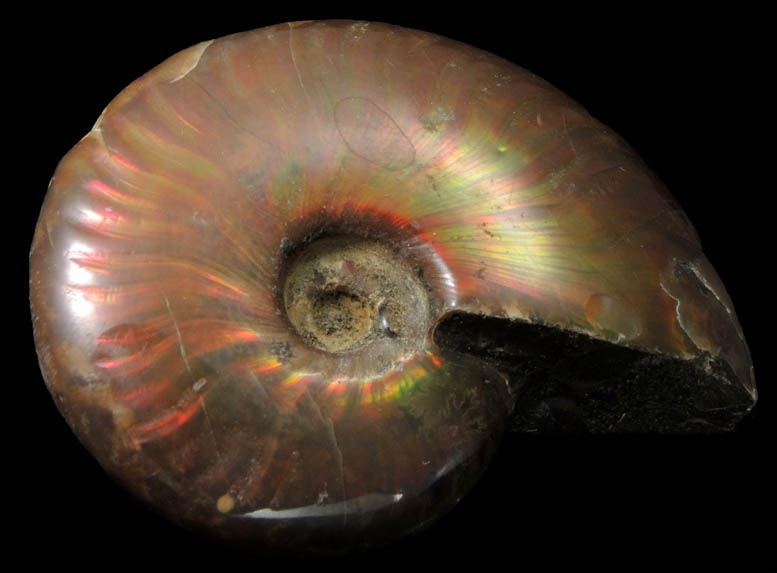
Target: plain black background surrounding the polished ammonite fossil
column 681, row 88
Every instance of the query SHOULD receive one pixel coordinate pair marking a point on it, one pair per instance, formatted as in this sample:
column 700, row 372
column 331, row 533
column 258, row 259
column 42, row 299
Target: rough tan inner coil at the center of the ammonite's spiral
column 343, row 295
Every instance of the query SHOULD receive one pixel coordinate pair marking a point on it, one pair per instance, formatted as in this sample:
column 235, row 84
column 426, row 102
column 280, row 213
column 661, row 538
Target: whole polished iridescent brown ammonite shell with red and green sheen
column 293, row 283
